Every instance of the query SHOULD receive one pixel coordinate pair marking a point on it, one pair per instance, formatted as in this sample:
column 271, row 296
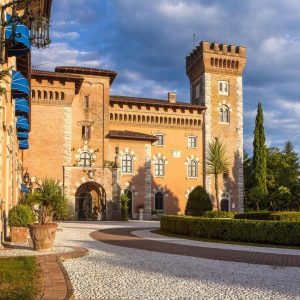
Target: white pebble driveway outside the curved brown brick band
column 114, row 272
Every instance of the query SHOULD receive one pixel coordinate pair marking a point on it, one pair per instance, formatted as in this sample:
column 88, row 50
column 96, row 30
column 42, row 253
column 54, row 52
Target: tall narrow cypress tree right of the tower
column 259, row 153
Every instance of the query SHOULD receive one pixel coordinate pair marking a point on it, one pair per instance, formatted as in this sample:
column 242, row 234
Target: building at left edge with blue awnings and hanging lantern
column 17, row 17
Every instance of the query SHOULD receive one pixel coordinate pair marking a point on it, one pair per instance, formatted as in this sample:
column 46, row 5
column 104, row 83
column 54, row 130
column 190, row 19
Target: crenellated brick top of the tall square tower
column 217, row 57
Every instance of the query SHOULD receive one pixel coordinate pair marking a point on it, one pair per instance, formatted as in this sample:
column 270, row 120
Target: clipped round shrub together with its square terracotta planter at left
column 18, row 218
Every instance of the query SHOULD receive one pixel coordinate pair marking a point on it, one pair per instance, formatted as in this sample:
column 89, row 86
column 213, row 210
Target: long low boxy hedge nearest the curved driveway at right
column 269, row 232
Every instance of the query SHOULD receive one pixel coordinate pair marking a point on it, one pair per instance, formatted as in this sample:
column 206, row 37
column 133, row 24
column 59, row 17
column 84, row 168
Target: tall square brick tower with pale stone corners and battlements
column 215, row 74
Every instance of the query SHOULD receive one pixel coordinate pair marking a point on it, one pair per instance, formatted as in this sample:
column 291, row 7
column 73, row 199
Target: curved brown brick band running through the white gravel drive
column 124, row 237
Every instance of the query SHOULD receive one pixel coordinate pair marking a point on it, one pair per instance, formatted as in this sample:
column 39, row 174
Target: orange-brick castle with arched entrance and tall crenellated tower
column 99, row 146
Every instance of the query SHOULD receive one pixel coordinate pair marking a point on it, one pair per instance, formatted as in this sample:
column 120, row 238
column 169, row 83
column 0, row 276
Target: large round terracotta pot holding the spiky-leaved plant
column 42, row 236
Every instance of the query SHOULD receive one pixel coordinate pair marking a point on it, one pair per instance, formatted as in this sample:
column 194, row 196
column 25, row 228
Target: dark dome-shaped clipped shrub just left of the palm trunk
column 198, row 202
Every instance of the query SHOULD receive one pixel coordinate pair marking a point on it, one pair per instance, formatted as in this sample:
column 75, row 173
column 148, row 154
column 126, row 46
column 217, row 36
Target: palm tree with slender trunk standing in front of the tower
column 217, row 164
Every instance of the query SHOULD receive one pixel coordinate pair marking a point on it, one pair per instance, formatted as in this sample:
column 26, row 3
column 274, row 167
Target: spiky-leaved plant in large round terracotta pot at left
column 49, row 202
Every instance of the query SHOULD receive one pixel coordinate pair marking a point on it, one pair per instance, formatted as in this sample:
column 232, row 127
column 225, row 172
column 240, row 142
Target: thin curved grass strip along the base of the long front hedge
column 169, row 234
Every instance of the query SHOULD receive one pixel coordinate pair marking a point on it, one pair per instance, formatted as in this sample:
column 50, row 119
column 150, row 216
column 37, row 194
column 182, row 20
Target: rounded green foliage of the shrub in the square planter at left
column 20, row 216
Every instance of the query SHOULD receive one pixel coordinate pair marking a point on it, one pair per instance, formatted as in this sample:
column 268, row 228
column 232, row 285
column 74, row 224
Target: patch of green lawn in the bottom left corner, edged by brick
column 19, row 278
